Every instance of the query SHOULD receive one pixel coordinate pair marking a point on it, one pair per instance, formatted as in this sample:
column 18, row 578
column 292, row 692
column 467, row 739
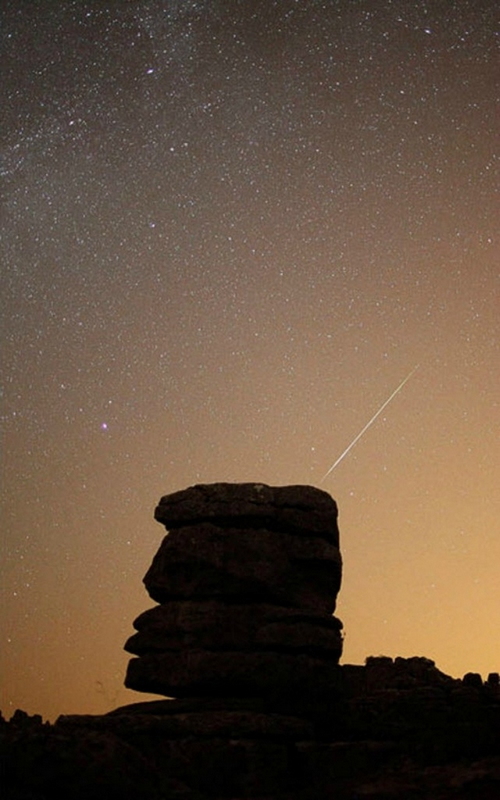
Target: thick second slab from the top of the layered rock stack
column 207, row 561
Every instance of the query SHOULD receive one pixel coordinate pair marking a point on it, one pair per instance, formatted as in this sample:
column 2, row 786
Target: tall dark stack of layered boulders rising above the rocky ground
column 246, row 580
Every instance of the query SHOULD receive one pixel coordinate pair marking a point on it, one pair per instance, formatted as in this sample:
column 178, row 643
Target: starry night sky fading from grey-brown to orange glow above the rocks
column 230, row 229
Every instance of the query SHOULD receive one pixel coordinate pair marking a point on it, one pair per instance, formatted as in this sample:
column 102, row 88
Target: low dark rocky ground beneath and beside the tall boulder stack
column 402, row 729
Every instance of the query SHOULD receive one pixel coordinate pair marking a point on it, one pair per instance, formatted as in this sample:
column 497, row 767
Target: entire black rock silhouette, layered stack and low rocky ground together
column 245, row 640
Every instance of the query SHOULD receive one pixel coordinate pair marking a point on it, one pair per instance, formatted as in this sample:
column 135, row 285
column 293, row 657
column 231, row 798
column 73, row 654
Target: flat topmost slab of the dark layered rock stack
column 288, row 509
